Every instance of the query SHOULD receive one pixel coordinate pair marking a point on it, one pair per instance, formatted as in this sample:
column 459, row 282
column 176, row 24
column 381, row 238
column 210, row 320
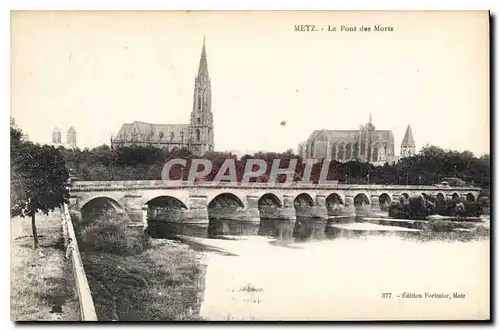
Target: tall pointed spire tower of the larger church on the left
column 201, row 135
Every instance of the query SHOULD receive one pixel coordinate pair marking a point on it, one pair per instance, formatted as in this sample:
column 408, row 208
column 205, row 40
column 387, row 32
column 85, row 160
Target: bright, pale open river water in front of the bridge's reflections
column 344, row 278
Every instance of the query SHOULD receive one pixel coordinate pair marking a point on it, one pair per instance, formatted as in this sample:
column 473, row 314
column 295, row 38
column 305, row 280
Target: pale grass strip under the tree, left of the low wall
column 43, row 278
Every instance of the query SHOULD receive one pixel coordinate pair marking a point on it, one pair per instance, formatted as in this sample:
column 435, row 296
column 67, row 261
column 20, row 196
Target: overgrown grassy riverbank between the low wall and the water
column 134, row 278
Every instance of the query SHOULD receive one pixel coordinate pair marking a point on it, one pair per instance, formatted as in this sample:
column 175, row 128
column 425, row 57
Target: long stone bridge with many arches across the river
column 203, row 209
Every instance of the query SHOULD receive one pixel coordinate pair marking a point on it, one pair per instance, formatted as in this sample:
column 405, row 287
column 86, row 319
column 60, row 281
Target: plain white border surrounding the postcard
column 7, row 5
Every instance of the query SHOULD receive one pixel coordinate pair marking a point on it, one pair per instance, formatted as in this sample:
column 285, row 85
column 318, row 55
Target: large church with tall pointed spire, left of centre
column 197, row 136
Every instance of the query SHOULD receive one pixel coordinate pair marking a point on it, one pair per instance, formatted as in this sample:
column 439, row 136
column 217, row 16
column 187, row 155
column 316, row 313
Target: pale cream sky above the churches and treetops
column 97, row 70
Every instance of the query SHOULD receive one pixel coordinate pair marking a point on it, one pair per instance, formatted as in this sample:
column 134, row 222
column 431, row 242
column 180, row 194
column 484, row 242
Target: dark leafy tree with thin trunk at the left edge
column 38, row 179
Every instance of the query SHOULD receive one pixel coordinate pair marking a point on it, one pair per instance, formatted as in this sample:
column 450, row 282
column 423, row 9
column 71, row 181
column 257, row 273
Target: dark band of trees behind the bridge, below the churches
column 431, row 166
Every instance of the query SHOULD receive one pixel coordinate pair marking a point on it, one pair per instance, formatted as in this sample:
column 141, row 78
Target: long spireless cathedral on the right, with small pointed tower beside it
column 366, row 145
